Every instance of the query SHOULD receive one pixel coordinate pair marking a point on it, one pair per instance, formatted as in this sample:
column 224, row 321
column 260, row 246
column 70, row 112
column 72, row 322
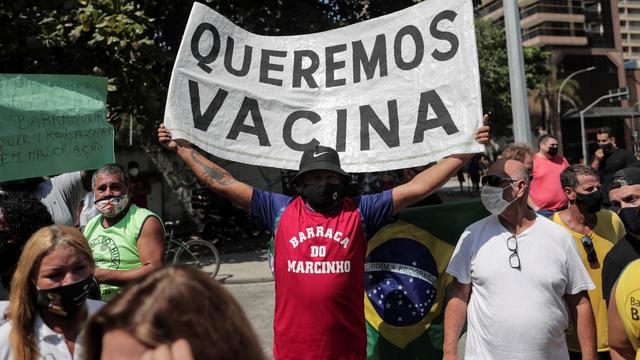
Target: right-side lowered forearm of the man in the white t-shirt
column 582, row 317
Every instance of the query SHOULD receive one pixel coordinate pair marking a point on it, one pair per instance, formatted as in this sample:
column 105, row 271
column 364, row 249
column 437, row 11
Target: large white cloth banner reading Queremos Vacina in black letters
column 397, row 91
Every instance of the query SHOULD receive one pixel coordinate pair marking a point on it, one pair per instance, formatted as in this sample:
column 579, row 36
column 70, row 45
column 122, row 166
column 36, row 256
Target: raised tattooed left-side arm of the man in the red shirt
column 215, row 177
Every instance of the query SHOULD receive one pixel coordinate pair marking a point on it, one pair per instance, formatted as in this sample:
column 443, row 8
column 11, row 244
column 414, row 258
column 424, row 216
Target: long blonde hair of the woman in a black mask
column 23, row 297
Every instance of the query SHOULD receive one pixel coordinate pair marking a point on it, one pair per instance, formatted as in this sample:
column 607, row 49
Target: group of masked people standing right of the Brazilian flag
column 522, row 191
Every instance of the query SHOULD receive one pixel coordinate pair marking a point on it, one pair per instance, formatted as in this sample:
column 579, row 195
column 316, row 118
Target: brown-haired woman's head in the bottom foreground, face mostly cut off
column 168, row 305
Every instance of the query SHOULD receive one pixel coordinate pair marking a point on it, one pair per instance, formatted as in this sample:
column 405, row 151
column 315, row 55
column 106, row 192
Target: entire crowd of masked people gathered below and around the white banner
column 552, row 273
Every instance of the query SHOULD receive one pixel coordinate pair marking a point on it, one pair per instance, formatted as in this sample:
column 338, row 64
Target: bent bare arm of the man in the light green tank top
column 151, row 247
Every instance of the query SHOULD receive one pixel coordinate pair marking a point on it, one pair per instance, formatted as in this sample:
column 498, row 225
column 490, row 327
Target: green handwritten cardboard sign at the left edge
column 52, row 124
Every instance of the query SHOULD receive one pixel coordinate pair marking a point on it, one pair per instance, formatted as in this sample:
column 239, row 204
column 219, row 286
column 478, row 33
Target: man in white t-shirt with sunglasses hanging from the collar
column 518, row 280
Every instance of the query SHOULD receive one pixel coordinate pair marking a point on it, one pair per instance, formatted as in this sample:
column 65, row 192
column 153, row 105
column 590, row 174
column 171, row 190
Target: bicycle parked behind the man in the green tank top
column 196, row 252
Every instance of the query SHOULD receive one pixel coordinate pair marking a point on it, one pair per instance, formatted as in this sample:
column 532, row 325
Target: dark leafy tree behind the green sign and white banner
column 132, row 42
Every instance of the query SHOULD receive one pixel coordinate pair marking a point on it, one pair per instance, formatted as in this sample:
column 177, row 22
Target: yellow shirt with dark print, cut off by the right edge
column 628, row 303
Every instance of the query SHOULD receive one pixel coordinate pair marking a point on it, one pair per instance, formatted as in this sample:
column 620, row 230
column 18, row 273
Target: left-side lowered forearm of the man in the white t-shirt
column 455, row 315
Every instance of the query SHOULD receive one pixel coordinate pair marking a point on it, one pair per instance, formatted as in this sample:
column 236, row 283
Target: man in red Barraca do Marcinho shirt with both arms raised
column 319, row 244
